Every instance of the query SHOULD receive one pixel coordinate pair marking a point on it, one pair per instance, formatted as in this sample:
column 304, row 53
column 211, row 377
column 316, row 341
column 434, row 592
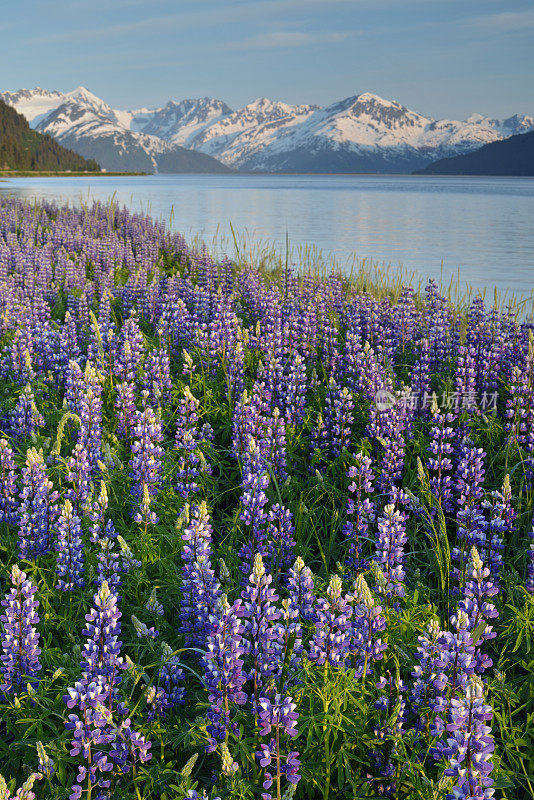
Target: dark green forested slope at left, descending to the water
column 22, row 148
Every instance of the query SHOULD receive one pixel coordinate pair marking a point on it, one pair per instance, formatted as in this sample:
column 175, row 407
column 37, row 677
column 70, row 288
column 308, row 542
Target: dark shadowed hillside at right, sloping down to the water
column 513, row 156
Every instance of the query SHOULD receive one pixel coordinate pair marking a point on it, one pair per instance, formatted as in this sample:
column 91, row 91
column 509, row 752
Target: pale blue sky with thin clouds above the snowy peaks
column 446, row 58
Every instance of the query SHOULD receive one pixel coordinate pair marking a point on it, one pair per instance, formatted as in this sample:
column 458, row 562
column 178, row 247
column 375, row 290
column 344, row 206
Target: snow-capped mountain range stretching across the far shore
column 361, row 133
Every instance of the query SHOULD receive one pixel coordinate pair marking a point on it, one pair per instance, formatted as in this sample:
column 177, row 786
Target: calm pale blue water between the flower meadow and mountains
column 481, row 229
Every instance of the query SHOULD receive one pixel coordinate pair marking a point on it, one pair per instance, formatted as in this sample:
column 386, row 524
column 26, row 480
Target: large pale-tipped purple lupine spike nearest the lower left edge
column 20, row 640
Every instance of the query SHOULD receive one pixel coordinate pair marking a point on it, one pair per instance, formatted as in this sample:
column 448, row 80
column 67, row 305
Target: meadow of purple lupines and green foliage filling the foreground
column 262, row 534
